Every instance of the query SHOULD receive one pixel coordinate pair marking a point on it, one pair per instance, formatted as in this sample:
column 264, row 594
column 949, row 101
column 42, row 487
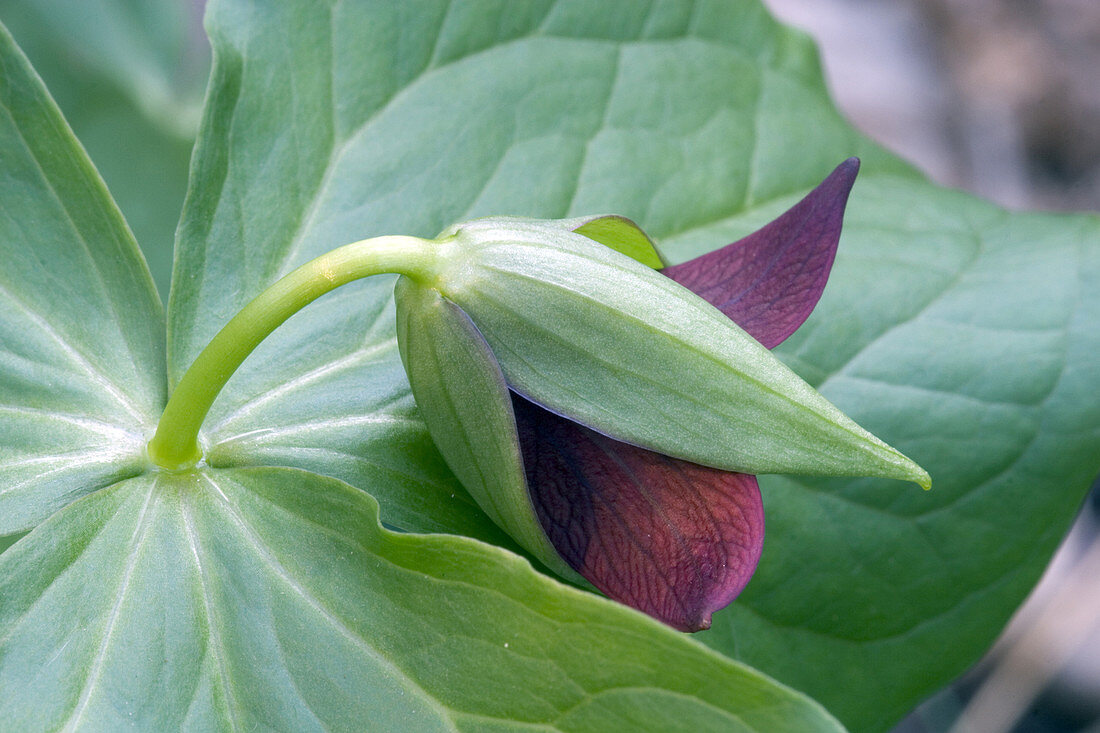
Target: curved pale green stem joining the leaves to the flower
column 175, row 445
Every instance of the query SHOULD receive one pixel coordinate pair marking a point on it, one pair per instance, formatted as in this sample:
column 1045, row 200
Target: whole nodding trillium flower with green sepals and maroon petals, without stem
column 611, row 420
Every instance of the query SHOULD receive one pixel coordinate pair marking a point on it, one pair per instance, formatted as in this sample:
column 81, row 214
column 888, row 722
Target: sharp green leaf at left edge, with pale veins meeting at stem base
column 82, row 345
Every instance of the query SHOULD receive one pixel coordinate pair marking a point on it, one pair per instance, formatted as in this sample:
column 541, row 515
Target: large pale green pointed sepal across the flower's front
column 604, row 341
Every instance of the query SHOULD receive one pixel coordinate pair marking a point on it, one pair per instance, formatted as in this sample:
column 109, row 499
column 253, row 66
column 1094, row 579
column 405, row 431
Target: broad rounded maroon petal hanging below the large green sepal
column 674, row 540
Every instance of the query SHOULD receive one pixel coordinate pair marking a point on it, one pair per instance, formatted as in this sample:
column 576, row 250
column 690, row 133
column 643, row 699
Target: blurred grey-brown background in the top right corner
column 999, row 97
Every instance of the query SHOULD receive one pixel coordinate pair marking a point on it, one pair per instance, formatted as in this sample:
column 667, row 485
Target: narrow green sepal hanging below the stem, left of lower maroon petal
column 465, row 401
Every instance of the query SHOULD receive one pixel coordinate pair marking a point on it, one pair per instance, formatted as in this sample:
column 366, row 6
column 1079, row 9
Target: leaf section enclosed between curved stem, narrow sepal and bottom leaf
column 338, row 403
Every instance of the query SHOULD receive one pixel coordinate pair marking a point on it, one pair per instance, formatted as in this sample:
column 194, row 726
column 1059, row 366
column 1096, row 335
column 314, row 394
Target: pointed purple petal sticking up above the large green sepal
column 771, row 281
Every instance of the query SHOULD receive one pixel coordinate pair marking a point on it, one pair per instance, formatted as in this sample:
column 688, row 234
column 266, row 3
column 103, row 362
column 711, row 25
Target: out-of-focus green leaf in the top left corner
column 129, row 79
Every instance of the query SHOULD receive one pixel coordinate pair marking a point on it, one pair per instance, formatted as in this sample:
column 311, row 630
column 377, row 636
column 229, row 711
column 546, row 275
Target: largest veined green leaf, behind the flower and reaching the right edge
column 960, row 334
